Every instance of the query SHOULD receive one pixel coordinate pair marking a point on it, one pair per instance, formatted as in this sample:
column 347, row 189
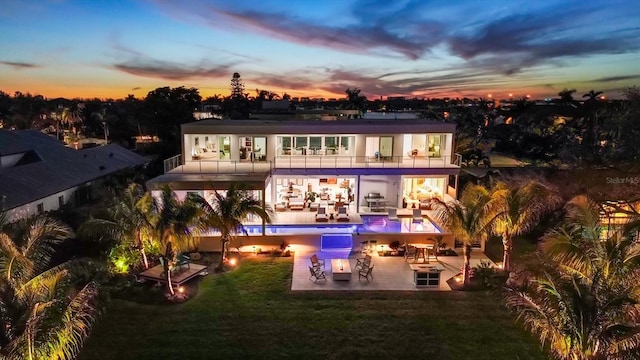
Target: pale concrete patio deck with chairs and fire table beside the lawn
column 389, row 273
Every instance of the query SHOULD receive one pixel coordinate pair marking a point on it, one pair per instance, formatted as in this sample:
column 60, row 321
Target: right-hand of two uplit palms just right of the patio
column 517, row 209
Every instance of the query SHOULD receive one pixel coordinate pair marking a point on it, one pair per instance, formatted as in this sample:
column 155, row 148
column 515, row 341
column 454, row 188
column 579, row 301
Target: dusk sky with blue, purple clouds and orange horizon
column 108, row 49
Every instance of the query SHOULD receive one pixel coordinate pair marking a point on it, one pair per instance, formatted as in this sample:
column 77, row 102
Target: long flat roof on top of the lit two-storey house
column 350, row 126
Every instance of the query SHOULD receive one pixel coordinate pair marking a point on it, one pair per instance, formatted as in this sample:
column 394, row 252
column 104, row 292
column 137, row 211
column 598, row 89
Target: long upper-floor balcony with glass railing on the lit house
column 175, row 164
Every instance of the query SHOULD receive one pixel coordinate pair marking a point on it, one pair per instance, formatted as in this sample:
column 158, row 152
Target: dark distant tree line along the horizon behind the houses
column 564, row 131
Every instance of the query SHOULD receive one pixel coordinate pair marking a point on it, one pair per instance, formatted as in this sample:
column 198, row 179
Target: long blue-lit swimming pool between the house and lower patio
column 371, row 224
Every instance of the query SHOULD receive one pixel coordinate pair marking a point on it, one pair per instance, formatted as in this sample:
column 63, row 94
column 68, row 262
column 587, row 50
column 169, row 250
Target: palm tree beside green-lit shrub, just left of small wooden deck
column 125, row 221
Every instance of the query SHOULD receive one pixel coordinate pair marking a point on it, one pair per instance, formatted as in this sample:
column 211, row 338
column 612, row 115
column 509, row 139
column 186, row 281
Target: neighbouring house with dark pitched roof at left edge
column 39, row 173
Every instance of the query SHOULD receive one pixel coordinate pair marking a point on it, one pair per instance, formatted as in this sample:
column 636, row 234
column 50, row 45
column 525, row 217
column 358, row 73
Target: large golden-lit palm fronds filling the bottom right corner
column 581, row 318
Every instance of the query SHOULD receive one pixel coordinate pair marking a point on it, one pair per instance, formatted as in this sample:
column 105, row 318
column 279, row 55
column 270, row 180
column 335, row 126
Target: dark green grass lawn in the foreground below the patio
column 250, row 313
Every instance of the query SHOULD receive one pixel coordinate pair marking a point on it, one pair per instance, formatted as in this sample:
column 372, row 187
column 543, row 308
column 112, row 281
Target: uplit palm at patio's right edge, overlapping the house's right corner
column 468, row 219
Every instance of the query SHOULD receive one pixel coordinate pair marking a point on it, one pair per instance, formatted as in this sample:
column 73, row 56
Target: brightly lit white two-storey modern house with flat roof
column 369, row 164
